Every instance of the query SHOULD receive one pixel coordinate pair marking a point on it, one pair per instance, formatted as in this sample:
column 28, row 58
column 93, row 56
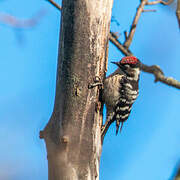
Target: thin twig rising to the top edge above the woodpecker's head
column 134, row 24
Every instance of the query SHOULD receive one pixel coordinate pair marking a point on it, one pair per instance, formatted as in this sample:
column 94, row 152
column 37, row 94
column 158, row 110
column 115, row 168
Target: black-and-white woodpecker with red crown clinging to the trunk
column 120, row 91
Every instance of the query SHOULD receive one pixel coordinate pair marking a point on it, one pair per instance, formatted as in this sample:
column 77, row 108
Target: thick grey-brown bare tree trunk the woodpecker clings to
column 72, row 135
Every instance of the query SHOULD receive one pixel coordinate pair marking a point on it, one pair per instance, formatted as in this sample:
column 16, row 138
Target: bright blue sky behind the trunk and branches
column 148, row 147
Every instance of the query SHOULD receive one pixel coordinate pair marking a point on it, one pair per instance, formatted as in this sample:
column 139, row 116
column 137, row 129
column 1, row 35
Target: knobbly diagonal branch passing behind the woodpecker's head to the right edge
column 155, row 70
